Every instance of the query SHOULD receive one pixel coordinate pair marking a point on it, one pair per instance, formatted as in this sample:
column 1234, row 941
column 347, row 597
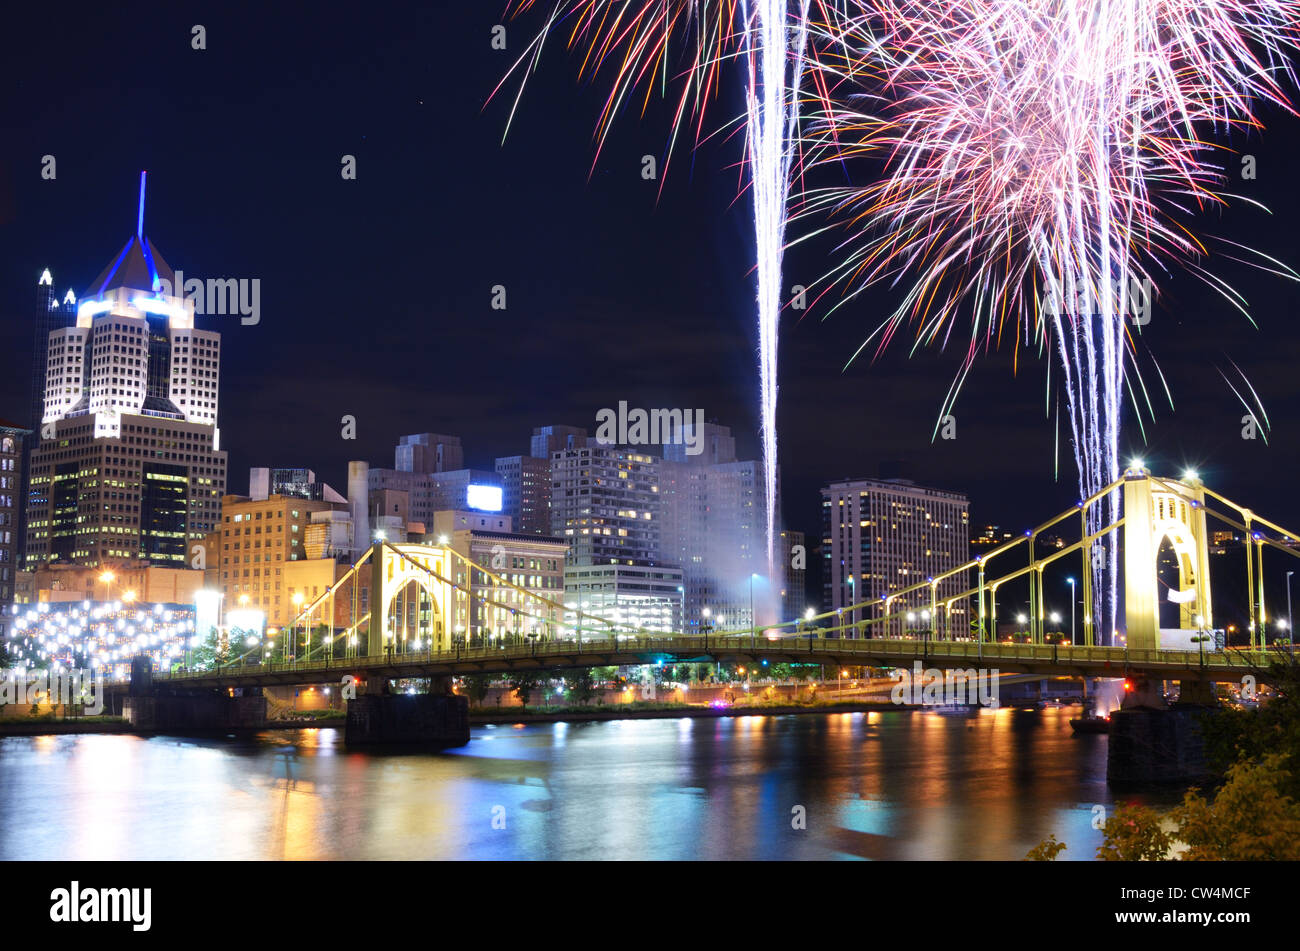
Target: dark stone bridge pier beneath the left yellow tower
column 439, row 719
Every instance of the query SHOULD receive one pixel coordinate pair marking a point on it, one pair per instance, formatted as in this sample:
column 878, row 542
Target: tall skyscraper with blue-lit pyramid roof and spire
column 129, row 464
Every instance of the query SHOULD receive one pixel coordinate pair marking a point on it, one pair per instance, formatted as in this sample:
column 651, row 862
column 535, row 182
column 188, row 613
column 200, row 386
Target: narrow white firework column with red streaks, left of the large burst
column 632, row 42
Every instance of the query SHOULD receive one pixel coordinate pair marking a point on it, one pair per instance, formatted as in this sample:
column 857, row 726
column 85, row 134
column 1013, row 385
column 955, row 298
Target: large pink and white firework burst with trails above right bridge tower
column 1038, row 158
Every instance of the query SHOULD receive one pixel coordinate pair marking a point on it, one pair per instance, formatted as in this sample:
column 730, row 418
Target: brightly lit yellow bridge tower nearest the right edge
column 1156, row 510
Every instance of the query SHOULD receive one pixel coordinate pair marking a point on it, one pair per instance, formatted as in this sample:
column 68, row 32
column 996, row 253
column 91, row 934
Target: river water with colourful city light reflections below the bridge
column 890, row 785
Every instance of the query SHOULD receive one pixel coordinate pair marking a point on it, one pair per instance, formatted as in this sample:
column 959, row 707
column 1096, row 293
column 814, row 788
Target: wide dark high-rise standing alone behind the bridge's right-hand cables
column 883, row 536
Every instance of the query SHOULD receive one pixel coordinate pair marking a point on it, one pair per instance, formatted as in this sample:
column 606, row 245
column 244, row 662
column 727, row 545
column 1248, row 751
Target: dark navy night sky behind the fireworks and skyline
column 375, row 293
